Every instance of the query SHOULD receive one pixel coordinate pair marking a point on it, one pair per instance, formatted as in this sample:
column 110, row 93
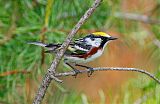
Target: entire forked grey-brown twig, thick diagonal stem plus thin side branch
column 51, row 73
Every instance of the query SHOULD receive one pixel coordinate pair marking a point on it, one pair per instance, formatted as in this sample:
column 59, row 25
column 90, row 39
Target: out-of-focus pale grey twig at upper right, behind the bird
column 137, row 17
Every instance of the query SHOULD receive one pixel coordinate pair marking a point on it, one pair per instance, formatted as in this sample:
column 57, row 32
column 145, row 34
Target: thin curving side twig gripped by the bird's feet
column 110, row 69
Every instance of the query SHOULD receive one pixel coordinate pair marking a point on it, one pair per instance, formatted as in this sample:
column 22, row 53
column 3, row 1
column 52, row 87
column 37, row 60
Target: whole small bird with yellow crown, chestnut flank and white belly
column 81, row 50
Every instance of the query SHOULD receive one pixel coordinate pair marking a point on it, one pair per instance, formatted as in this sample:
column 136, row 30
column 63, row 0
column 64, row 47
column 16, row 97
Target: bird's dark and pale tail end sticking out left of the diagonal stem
column 50, row 47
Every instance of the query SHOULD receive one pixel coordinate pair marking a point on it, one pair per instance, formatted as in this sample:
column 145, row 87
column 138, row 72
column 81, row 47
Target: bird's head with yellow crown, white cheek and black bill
column 99, row 39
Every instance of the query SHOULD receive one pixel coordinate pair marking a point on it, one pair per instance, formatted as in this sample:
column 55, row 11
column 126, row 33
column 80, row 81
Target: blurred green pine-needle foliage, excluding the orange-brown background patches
column 22, row 21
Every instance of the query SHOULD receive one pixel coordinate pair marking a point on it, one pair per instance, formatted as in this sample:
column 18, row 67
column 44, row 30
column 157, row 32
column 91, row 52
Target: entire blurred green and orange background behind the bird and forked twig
column 135, row 22
